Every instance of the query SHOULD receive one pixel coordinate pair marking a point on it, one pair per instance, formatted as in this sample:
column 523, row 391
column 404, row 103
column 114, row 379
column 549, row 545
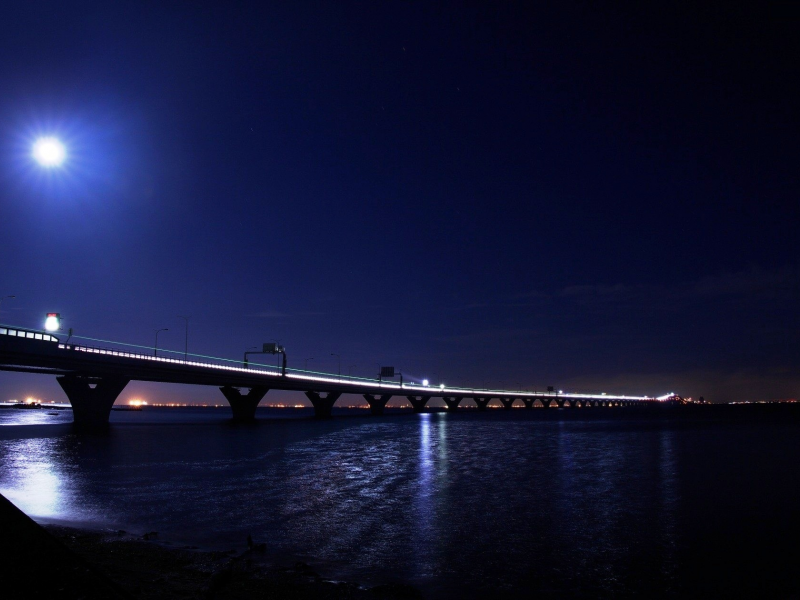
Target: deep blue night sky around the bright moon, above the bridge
column 602, row 199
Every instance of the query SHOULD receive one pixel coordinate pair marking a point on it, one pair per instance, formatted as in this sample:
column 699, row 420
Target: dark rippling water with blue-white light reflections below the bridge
column 575, row 502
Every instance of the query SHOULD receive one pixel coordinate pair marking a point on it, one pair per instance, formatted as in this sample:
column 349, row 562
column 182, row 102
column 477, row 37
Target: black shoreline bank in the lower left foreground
column 63, row 562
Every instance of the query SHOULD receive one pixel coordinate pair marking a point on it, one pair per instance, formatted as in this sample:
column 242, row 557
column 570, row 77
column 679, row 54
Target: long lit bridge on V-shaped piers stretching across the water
column 93, row 377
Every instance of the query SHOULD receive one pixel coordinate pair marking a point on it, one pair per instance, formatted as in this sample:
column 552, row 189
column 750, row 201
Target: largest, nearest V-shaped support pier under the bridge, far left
column 91, row 406
